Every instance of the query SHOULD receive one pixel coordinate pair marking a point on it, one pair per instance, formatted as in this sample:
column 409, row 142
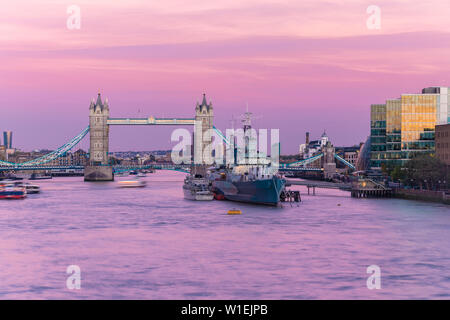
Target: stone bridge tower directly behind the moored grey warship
column 204, row 116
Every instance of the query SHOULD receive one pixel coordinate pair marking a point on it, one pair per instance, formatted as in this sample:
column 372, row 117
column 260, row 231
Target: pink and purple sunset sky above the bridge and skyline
column 302, row 66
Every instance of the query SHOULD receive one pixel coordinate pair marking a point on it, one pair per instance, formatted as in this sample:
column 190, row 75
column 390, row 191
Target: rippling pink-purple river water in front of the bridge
column 150, row 243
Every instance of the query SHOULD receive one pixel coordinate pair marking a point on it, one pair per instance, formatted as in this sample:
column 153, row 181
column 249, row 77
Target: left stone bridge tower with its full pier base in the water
column 98, row 168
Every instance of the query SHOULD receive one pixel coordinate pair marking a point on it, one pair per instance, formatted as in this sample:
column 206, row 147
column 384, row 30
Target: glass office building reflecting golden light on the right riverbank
column 404, row 127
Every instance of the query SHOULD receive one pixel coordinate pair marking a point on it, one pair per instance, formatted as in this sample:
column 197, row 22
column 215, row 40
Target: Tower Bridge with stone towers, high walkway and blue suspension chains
column 98, row 167
